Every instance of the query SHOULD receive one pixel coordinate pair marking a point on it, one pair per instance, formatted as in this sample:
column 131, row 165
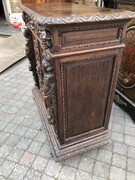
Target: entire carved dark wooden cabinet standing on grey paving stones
column 74, row 53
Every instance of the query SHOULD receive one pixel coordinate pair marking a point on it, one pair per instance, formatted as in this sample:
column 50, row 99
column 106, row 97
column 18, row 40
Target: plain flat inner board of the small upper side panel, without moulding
column 87, row 37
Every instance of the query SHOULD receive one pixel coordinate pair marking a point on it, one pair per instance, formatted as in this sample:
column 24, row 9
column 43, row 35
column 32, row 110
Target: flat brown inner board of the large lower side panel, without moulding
column 86, row 89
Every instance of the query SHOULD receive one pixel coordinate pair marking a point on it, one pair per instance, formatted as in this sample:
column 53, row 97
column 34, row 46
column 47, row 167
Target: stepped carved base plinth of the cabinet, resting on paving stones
column 67, row 150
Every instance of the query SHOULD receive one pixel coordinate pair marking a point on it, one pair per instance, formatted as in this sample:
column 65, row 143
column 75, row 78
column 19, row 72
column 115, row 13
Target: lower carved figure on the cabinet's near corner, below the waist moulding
column 49, row 89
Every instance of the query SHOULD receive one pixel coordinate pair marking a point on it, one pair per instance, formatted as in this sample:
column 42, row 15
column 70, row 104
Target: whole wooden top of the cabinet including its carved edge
column 65, row 13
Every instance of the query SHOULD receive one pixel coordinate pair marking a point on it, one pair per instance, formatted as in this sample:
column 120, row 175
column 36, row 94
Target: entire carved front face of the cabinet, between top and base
column 41, row 65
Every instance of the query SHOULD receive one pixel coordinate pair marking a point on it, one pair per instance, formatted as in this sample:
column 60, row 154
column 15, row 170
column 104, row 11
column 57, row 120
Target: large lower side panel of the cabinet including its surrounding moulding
column 86, row 89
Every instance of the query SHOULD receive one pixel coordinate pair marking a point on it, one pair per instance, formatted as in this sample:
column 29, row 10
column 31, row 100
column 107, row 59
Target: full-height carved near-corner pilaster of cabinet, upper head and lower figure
column 49, row 88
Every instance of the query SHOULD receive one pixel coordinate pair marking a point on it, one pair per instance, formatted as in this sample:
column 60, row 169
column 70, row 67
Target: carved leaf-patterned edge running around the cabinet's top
column 73, row 19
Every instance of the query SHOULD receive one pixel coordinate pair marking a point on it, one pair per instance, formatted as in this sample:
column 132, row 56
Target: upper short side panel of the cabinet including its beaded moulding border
column 89, row 37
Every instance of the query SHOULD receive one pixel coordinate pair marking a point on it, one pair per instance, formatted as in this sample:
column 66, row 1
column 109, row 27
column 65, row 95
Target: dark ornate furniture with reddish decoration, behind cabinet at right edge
column 125, row 93
